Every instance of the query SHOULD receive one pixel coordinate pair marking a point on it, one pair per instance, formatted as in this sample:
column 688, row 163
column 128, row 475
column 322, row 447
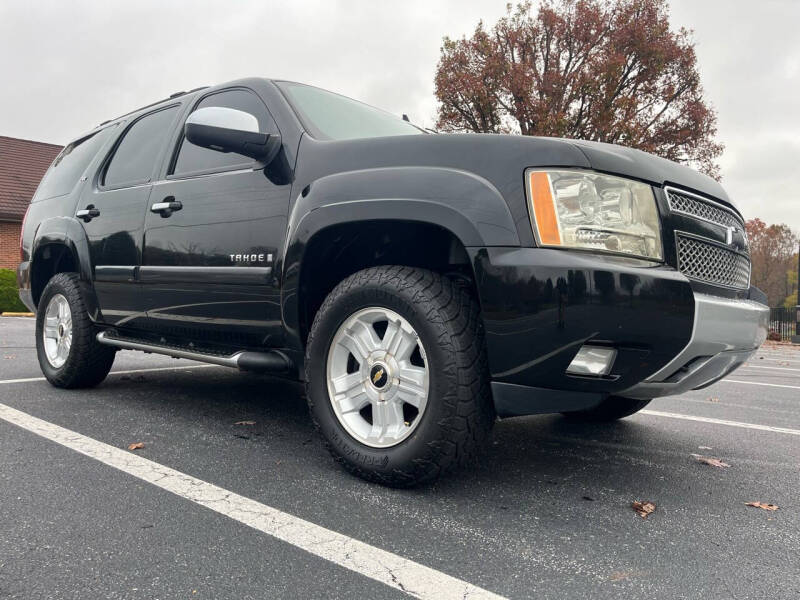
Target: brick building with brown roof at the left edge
column 22, row 165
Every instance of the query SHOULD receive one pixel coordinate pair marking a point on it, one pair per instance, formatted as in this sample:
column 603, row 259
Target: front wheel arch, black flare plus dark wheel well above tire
column 387, row 211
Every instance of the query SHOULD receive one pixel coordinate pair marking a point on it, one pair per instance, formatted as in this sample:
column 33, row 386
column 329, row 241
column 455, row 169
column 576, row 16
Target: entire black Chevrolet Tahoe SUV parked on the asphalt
column 420, row 284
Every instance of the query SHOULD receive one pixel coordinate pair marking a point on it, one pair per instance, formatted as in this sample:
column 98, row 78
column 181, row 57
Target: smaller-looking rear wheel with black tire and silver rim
column 83, row 362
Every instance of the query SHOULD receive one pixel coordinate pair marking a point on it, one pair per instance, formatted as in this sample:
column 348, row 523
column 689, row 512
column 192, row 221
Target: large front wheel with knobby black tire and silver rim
column 458, row 413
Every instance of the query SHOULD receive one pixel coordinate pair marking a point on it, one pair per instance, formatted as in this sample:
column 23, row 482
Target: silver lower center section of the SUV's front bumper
column 726, row 333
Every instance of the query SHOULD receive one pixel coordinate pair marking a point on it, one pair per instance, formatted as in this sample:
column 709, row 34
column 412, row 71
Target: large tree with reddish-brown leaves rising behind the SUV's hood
column 605, row 70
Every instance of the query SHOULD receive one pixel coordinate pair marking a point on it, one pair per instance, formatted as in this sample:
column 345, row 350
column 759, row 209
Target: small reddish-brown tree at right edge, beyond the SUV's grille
column 773, row 257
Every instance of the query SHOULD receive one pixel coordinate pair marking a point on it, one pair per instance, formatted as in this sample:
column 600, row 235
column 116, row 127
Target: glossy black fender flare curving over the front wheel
column 467, row 206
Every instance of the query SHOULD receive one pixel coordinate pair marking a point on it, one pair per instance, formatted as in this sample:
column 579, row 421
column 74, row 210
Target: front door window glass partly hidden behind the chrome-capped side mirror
column 195, row 159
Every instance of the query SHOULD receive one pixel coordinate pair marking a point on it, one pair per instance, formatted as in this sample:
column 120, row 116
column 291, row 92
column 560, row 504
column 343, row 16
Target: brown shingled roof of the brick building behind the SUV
column 22, row 165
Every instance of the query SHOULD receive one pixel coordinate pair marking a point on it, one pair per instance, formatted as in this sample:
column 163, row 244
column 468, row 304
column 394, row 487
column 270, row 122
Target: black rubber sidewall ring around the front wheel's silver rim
column 423, row 440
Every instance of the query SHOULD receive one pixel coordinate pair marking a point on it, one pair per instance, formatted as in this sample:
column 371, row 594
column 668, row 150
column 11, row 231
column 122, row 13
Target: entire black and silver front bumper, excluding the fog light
column 541, row 305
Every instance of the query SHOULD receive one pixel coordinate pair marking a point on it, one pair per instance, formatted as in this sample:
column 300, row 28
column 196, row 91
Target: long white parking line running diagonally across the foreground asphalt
column 395, row 571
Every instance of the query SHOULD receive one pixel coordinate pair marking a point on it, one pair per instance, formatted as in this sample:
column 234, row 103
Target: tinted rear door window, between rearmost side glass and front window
column 135, row 157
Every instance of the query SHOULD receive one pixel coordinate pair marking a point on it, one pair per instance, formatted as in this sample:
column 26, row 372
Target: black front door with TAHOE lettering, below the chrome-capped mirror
column 211, row 238
